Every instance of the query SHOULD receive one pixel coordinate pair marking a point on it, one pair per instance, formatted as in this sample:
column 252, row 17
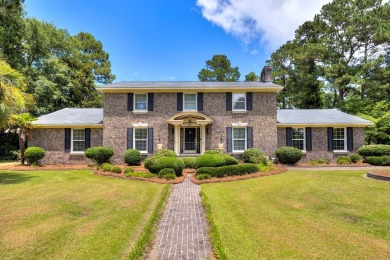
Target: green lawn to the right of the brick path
column 301, row 214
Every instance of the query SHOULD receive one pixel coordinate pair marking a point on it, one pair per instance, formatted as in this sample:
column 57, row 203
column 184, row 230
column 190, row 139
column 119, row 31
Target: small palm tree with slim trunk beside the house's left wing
column 23, row 123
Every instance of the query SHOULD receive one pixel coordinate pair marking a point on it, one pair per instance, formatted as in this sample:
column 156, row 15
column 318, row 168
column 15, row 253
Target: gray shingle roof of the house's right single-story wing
column 318, row 117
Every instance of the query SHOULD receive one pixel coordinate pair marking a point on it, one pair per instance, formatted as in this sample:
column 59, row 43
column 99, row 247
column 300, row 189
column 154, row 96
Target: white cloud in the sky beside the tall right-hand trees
column 273, row 22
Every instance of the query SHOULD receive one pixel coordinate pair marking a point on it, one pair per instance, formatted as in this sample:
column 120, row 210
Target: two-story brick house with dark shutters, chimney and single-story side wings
column 191, row 117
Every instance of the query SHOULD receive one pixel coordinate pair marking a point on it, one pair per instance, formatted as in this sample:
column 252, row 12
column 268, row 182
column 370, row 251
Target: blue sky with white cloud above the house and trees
column 156, row 40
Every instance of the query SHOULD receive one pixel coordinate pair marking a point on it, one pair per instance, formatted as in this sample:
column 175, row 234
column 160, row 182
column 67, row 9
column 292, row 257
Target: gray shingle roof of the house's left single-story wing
column 72, row 116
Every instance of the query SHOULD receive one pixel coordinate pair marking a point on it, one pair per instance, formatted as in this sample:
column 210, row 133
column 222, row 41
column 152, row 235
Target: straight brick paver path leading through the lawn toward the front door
column 182, row 232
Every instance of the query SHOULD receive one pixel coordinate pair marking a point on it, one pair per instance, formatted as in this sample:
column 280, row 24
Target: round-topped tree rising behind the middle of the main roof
column 219, row 68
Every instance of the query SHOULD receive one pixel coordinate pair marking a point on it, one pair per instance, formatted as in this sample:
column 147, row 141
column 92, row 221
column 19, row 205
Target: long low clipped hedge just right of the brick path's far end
column 231, row 170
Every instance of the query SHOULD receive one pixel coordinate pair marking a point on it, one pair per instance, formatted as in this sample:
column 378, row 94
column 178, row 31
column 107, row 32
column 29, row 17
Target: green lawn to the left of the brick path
column 72, row 214
